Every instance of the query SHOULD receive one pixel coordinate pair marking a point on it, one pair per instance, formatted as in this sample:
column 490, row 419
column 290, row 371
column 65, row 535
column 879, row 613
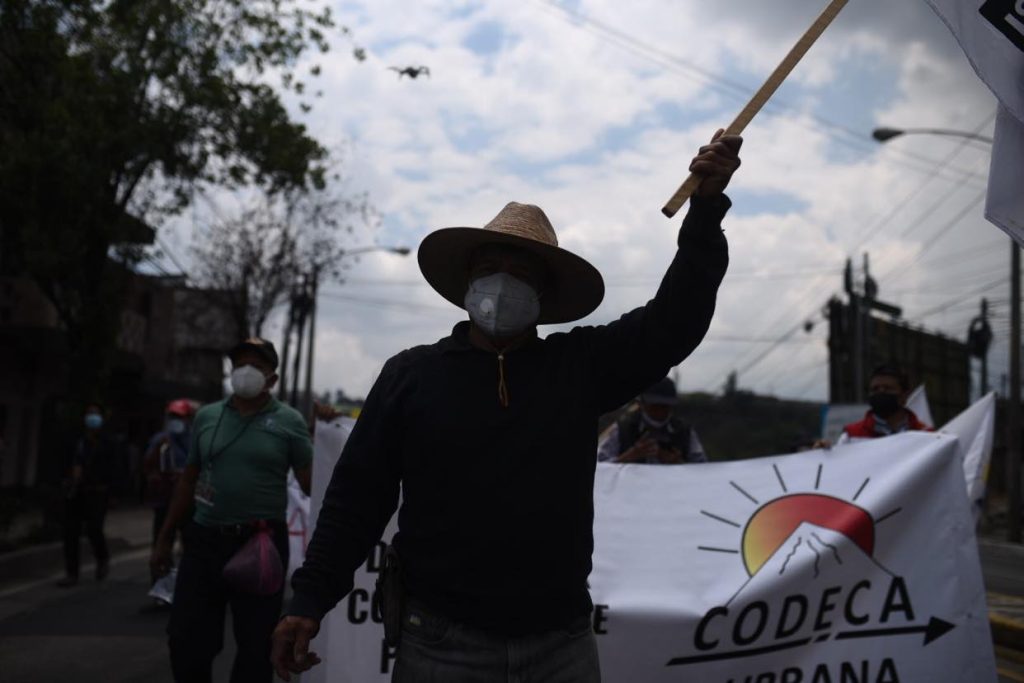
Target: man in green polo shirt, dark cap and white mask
column 236, row 476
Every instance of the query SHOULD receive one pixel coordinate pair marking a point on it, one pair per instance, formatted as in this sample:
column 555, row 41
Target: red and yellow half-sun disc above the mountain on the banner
column 774, row 523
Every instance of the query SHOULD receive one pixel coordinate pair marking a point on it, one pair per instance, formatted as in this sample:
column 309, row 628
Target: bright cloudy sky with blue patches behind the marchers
column 593, row 109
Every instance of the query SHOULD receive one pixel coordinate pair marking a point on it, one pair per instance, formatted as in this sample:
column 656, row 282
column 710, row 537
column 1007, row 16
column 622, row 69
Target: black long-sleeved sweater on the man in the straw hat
column 496, row 527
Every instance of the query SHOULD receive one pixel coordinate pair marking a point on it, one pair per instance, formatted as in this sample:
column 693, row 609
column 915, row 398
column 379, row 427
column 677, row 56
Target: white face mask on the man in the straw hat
column 502, row 306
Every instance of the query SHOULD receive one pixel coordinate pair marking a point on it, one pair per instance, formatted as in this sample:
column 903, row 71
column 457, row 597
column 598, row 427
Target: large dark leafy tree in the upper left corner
column 114, row 113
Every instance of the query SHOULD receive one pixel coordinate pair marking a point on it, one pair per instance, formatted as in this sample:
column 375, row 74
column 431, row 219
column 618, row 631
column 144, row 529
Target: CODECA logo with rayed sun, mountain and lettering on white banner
column 813, row 578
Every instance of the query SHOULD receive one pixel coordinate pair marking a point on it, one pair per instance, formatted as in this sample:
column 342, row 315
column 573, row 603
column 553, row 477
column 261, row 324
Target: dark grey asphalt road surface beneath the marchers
column 112, row 633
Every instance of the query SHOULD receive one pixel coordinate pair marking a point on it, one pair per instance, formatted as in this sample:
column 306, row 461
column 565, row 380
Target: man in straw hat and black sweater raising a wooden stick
column 491, row 435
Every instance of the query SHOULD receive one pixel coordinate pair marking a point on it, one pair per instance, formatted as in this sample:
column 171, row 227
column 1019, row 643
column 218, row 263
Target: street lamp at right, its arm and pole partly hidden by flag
column 1013, row 410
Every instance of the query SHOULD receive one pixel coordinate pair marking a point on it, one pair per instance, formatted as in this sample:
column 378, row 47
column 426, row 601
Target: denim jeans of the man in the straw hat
column 436, row 650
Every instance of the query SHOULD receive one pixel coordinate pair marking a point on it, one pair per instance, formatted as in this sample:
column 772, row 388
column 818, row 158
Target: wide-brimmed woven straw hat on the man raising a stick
column 575, row 288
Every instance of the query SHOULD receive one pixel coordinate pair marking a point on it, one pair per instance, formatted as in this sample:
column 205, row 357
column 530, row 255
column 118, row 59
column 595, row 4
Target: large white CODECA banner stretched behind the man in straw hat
column 803, row 569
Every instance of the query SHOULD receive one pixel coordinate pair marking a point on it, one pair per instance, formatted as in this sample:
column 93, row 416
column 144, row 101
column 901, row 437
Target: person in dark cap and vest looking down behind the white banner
column 651, row 435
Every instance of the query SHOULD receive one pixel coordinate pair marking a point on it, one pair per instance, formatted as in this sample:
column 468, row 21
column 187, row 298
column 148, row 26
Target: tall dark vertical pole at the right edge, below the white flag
column 1014, row 412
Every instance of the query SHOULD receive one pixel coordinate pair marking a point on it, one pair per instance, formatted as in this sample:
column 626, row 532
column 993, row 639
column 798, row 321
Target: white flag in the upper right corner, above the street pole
column 992, row 33
